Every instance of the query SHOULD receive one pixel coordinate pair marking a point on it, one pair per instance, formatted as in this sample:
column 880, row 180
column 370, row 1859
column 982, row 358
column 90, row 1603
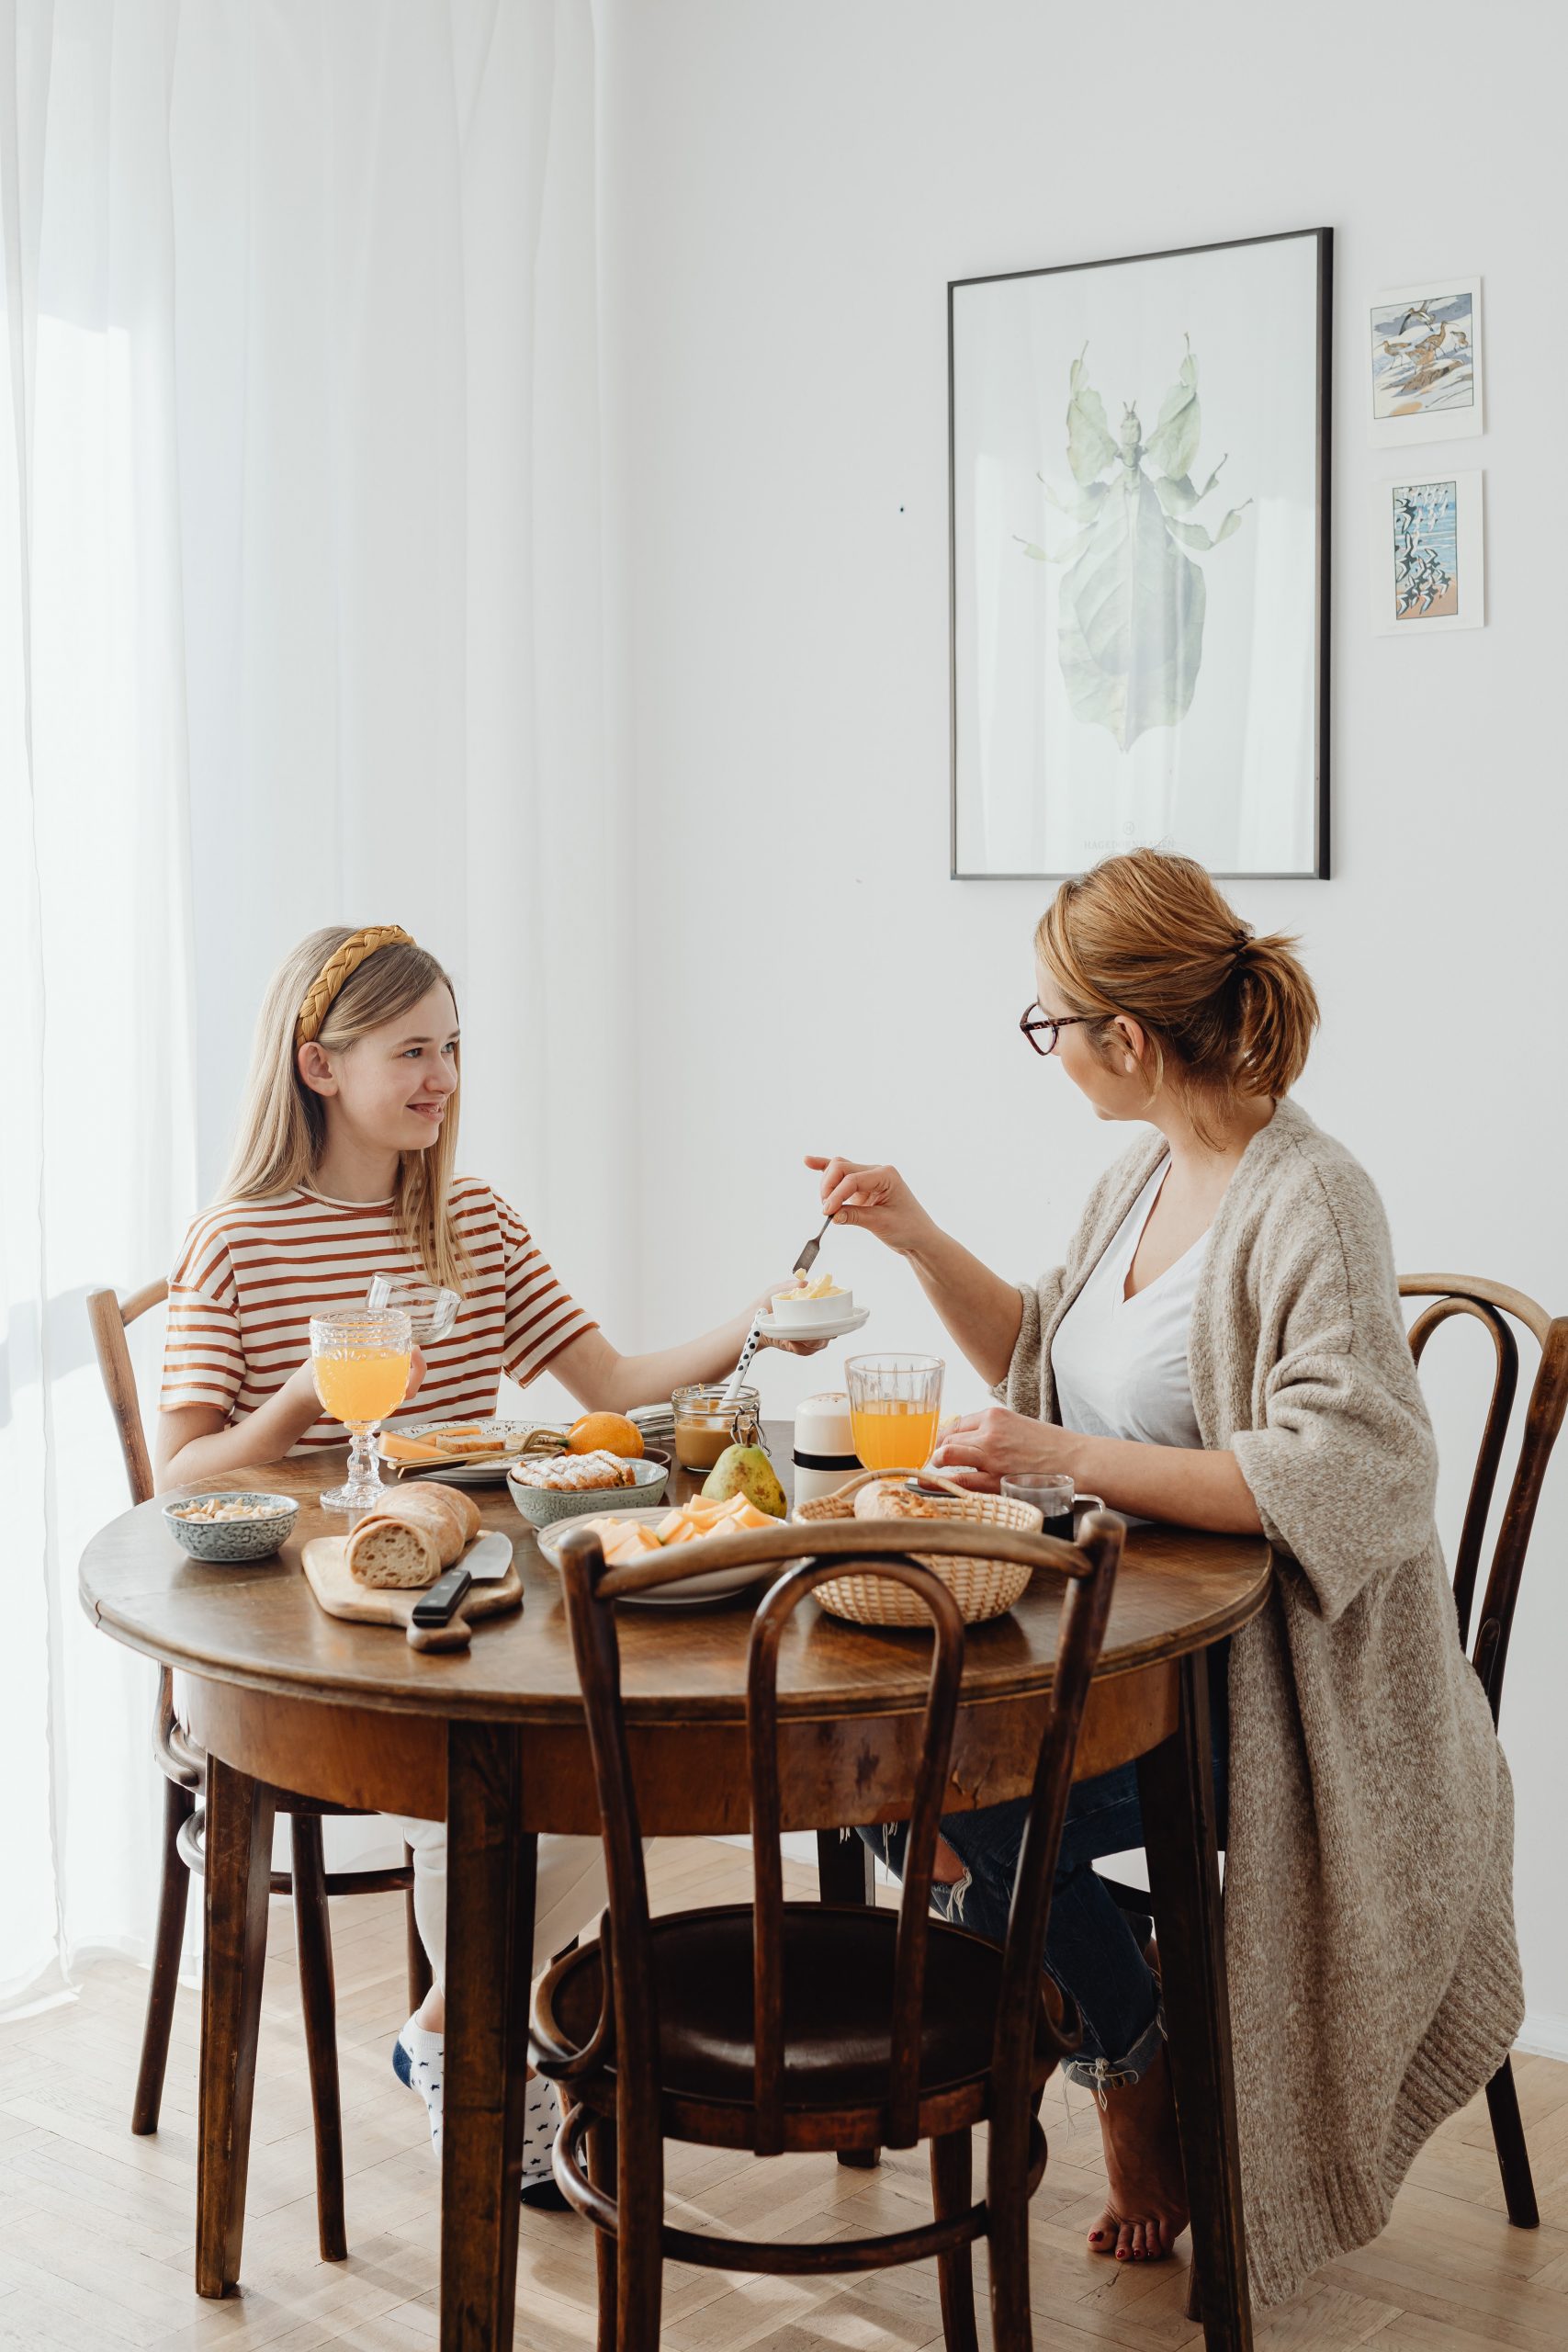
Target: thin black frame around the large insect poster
column 1313, row 794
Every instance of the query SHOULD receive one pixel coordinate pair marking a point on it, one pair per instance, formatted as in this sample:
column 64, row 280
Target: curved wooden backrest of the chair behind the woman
column 1499, row 1309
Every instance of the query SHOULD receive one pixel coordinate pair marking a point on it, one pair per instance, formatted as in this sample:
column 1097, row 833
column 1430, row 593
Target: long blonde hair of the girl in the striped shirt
column 283, row 1125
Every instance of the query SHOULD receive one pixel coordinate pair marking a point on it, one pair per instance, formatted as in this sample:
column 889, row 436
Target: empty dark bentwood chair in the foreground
column 812, row 2026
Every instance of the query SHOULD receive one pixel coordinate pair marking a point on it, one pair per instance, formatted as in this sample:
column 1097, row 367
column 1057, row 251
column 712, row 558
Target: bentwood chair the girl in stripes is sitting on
column 185, row 1768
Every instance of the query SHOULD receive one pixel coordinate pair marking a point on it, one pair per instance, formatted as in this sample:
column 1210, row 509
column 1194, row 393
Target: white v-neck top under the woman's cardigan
column 1120, row 1363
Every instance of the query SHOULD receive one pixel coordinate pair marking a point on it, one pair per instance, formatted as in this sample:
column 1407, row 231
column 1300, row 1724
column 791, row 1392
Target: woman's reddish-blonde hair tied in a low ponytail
column 1148, row 935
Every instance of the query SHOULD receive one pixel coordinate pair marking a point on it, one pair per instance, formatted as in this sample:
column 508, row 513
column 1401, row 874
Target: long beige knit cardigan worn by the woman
column 1369, row 1918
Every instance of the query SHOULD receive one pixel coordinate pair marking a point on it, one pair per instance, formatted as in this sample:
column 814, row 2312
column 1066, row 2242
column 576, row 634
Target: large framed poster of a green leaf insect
column 1139, row 561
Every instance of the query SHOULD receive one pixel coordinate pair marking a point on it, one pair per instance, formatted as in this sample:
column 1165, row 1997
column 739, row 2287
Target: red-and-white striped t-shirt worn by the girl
column 255, row 1271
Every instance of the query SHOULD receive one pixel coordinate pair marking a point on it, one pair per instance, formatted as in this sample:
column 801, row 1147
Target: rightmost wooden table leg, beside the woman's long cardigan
column 1181, row 1847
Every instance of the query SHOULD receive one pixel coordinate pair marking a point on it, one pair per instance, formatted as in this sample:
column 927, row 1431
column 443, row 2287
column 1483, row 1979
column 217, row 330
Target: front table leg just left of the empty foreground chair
column 490, row 1960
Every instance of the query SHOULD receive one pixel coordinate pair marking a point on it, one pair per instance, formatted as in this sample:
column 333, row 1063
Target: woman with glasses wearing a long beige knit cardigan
column 1224, row 1349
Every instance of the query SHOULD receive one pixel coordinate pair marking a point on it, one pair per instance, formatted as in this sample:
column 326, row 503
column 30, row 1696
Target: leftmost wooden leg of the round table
column 239, row 1847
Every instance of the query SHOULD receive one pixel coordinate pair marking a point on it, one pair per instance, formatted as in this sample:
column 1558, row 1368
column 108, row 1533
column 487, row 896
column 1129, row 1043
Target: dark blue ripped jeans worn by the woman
column 1094, row 1949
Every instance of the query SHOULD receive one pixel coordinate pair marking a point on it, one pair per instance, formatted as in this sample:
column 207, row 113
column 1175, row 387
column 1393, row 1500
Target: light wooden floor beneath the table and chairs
column 98, row 2229
